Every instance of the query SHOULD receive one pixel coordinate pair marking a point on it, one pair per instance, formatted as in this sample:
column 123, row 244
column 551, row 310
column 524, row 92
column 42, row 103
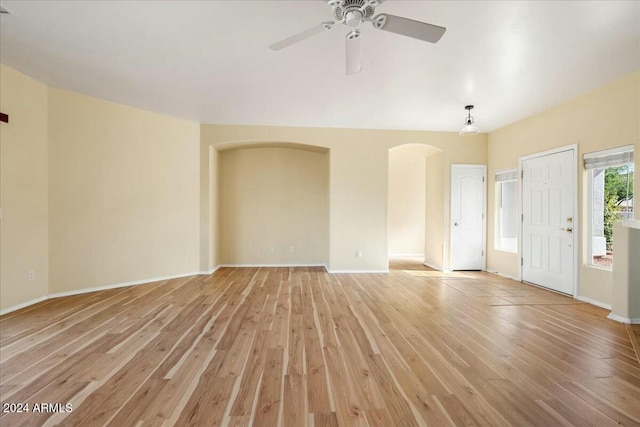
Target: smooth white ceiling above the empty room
column 208, row 61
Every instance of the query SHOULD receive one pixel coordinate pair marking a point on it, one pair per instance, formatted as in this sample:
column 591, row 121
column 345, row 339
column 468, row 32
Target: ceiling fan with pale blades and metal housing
column 352, row 13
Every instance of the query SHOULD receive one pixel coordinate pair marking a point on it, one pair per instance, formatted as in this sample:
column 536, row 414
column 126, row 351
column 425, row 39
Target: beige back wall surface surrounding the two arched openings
column 358, row 187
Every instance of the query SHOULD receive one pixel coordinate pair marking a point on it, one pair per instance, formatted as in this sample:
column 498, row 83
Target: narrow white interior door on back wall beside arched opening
column 468, row 189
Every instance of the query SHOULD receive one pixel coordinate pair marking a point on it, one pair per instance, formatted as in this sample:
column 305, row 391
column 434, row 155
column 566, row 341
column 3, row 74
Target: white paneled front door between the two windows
column 548, row 194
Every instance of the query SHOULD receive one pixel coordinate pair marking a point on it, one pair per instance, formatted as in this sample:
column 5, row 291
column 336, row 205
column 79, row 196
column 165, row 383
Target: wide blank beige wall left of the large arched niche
column 124, row 199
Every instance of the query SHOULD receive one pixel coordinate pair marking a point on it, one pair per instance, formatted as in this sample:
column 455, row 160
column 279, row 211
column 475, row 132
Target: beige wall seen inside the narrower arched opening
column 407, row 192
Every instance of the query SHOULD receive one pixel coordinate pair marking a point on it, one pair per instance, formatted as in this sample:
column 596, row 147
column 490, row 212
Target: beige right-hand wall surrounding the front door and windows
column 604, row 118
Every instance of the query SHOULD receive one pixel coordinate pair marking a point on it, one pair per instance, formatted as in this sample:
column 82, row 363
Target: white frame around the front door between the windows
column 576, row 212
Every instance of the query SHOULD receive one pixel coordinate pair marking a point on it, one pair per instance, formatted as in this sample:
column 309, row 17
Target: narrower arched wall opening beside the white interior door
column 408, row 191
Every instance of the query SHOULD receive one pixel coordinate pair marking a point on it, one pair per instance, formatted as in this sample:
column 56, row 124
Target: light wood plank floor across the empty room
column 296, row 347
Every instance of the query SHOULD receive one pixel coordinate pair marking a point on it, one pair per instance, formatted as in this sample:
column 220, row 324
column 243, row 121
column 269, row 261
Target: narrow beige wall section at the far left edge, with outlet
column 23, row 189
